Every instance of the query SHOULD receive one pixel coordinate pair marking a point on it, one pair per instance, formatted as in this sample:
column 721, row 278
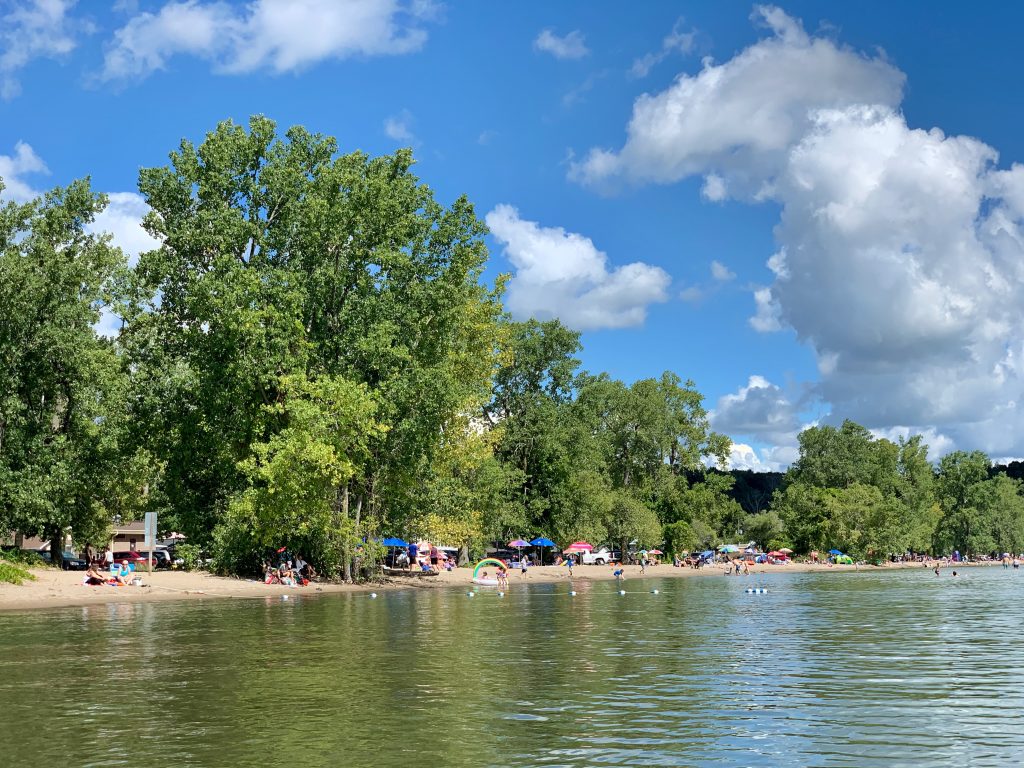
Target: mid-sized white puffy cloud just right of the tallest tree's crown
column 564, row 275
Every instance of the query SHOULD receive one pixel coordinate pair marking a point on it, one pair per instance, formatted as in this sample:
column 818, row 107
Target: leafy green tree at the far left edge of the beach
column 62, row 393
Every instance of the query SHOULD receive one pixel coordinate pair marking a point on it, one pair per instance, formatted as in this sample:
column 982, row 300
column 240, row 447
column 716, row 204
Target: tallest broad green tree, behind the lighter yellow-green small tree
column 281, row 259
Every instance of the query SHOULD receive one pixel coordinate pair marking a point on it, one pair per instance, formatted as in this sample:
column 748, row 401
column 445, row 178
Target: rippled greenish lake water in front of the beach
column 883, row 669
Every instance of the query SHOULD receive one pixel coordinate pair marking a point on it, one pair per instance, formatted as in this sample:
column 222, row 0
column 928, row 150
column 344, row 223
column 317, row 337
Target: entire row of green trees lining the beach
column 312, row 360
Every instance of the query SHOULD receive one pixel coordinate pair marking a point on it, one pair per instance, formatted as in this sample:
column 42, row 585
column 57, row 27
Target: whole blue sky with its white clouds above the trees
column 866, row 149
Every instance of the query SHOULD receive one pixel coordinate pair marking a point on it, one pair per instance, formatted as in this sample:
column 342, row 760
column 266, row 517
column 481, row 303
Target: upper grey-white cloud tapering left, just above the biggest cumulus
column 740, row 119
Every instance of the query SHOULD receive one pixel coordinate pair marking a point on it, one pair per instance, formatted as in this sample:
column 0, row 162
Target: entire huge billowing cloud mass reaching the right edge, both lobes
column 902, row 250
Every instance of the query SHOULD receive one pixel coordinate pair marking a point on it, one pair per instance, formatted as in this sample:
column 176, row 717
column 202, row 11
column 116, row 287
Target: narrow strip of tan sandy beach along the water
column 62, row 589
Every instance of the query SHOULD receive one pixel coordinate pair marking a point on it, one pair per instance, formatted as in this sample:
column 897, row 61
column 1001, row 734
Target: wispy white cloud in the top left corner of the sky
column 34, row 29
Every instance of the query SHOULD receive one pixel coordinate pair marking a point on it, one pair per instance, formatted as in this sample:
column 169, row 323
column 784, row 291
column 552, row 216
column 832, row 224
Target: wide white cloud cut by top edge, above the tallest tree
column 276, row 35
